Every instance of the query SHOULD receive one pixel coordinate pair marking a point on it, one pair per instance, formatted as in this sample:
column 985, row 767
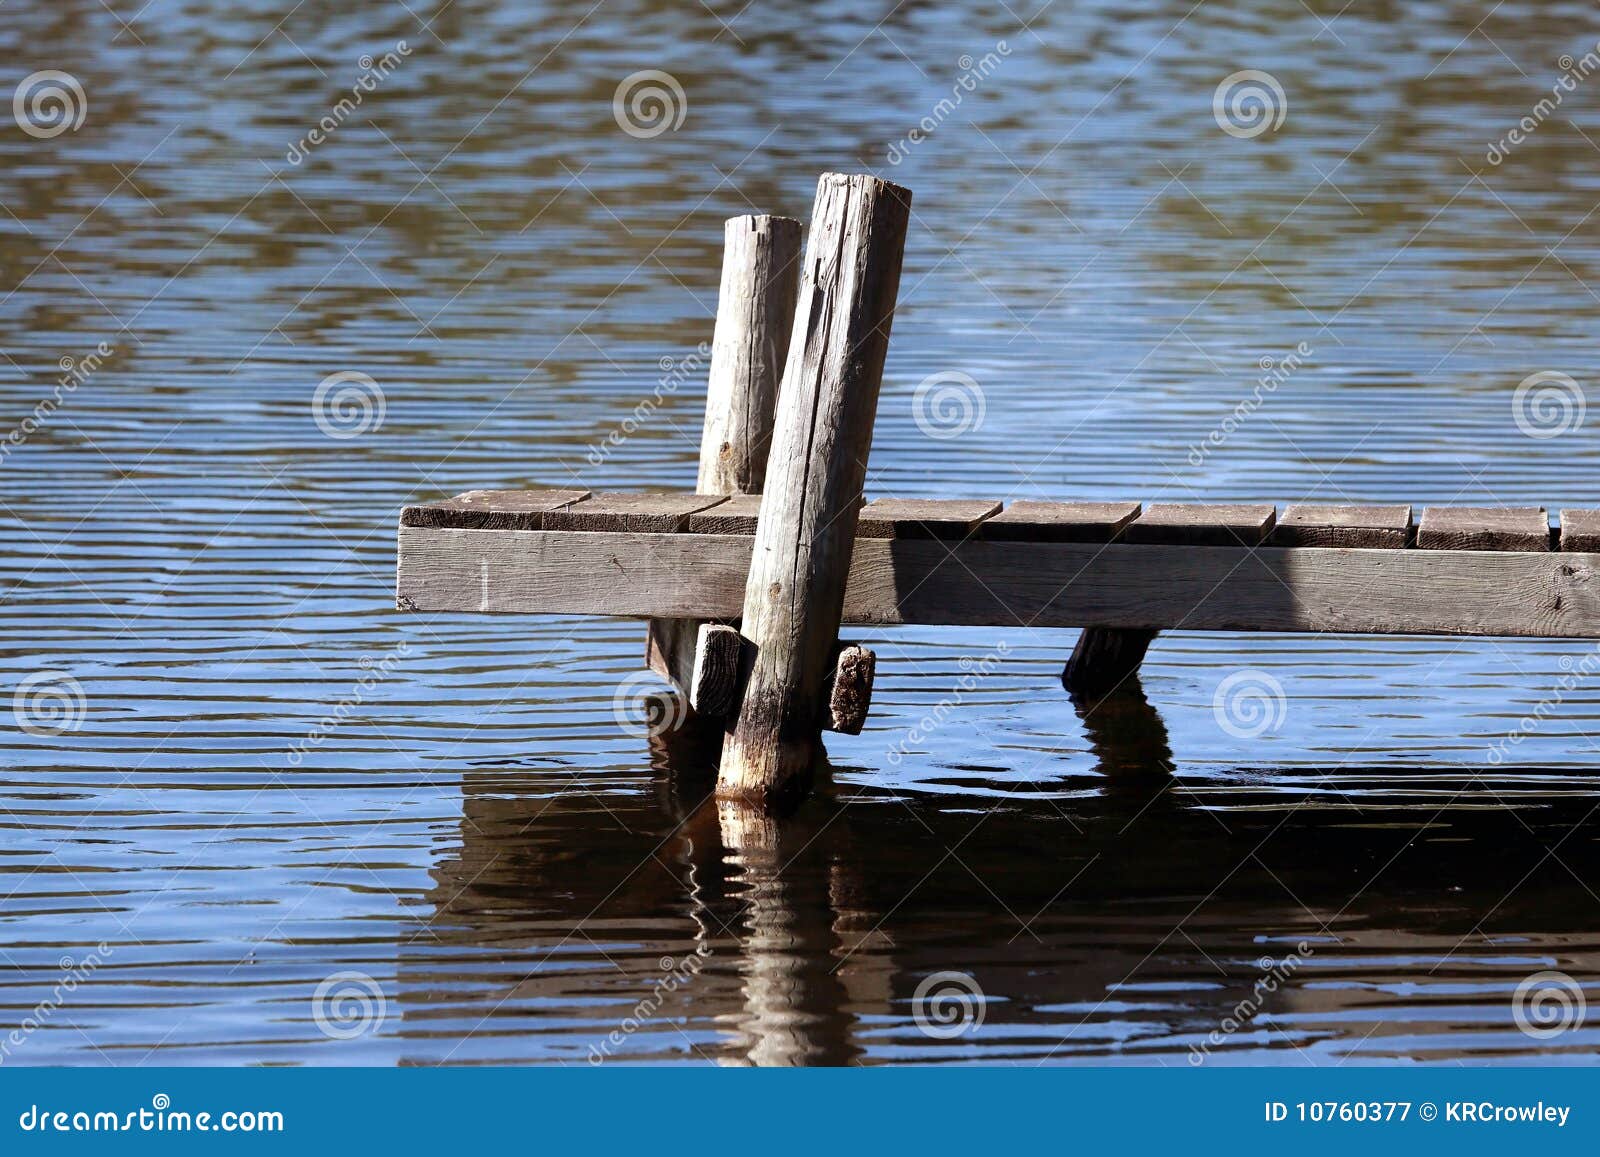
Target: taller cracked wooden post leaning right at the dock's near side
column 794, row 596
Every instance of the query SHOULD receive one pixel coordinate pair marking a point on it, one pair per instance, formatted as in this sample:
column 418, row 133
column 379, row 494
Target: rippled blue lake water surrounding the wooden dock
column 479, row 862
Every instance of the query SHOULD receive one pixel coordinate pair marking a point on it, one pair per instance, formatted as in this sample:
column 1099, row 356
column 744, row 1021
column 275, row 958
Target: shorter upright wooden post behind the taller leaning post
column 756, row 311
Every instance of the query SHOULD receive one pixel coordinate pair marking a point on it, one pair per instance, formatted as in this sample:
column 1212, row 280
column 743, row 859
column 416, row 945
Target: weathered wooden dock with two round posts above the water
column 745, row 593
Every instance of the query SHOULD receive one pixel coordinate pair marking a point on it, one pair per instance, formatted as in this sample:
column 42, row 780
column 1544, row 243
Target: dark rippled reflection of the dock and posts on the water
column 1095, row 927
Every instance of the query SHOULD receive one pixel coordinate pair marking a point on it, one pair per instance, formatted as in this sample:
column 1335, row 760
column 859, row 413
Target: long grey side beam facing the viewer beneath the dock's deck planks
column 1044, row 585
